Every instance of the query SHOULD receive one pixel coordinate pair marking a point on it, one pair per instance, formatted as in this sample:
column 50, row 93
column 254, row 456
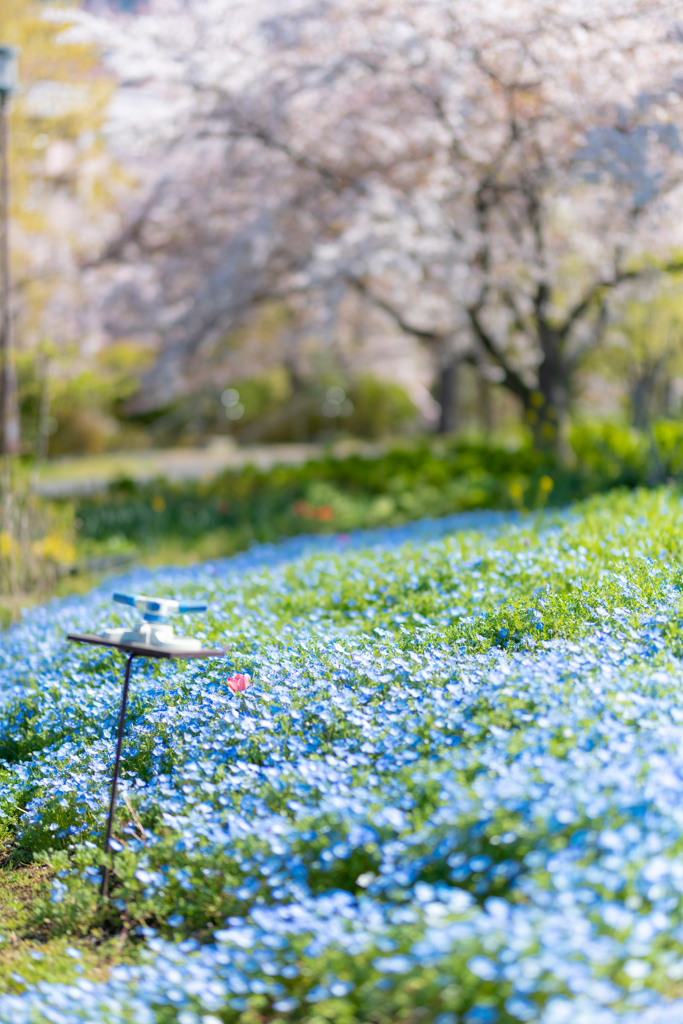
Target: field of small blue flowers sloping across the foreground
column 453, row 793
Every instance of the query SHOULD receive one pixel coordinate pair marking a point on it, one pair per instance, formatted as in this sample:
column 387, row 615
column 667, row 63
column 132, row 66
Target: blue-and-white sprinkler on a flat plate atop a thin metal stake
column 147, row 641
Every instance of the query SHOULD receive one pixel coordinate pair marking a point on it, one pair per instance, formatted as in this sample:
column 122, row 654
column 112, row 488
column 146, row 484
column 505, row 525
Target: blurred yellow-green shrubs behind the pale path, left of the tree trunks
column 83, row 411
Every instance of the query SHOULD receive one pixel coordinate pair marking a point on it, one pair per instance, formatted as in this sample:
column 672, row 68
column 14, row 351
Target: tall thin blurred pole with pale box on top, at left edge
column 9, row 396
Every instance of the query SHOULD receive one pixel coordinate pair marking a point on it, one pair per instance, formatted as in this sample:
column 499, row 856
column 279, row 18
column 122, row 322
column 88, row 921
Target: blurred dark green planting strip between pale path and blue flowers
column 414, row 480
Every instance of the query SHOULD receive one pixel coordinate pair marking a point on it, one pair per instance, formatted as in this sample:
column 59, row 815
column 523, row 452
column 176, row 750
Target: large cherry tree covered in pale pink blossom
column 488, row 176
